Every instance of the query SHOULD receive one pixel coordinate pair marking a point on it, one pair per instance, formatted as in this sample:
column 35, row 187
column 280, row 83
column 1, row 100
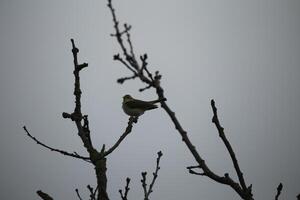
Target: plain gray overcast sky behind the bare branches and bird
column 244, row 54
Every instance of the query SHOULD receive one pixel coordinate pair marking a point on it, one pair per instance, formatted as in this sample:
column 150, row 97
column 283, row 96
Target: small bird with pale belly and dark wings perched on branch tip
column 134, row 107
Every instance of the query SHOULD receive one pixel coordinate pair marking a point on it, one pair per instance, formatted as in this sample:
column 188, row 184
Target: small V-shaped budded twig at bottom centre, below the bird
column 148, row 191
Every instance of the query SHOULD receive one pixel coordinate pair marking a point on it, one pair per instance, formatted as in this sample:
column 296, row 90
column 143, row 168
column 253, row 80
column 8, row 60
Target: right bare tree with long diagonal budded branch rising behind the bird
column 139, row 69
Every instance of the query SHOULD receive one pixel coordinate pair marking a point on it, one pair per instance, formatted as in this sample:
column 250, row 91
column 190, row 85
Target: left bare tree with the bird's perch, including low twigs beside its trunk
column 96, row 157
